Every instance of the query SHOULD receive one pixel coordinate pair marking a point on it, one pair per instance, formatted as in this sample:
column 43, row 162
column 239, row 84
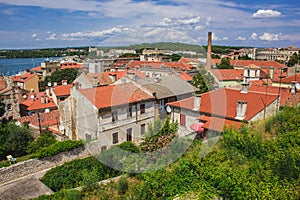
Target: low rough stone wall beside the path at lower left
column 32, row 166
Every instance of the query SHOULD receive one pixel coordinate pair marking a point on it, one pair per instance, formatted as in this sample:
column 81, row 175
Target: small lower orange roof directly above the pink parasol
column 217, row 124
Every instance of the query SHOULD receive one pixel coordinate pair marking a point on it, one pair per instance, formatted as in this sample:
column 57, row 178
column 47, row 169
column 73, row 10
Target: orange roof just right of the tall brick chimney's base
column 228, row 74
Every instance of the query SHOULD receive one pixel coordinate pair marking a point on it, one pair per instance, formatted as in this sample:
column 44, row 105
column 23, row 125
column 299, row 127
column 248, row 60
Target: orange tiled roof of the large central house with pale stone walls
column 109, row 96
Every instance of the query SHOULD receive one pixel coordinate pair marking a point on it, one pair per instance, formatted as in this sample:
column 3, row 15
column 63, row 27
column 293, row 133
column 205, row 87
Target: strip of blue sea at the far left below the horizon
column 9, row 67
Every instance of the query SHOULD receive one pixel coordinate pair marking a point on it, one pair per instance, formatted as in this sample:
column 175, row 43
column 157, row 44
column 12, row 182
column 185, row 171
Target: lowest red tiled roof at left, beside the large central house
column 46, row 119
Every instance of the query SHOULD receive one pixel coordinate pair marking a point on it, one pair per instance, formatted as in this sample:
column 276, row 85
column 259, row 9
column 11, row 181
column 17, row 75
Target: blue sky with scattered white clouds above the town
column 70, row 23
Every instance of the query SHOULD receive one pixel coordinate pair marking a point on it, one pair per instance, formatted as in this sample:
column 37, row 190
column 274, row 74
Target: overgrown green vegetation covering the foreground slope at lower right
column 257, row 162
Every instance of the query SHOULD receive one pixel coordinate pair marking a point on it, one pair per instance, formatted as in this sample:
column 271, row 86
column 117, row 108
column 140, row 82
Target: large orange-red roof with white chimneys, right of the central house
column 223, row 102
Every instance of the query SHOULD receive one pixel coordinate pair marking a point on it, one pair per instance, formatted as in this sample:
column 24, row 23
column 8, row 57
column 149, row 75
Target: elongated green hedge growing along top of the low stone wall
column 58, row 147
